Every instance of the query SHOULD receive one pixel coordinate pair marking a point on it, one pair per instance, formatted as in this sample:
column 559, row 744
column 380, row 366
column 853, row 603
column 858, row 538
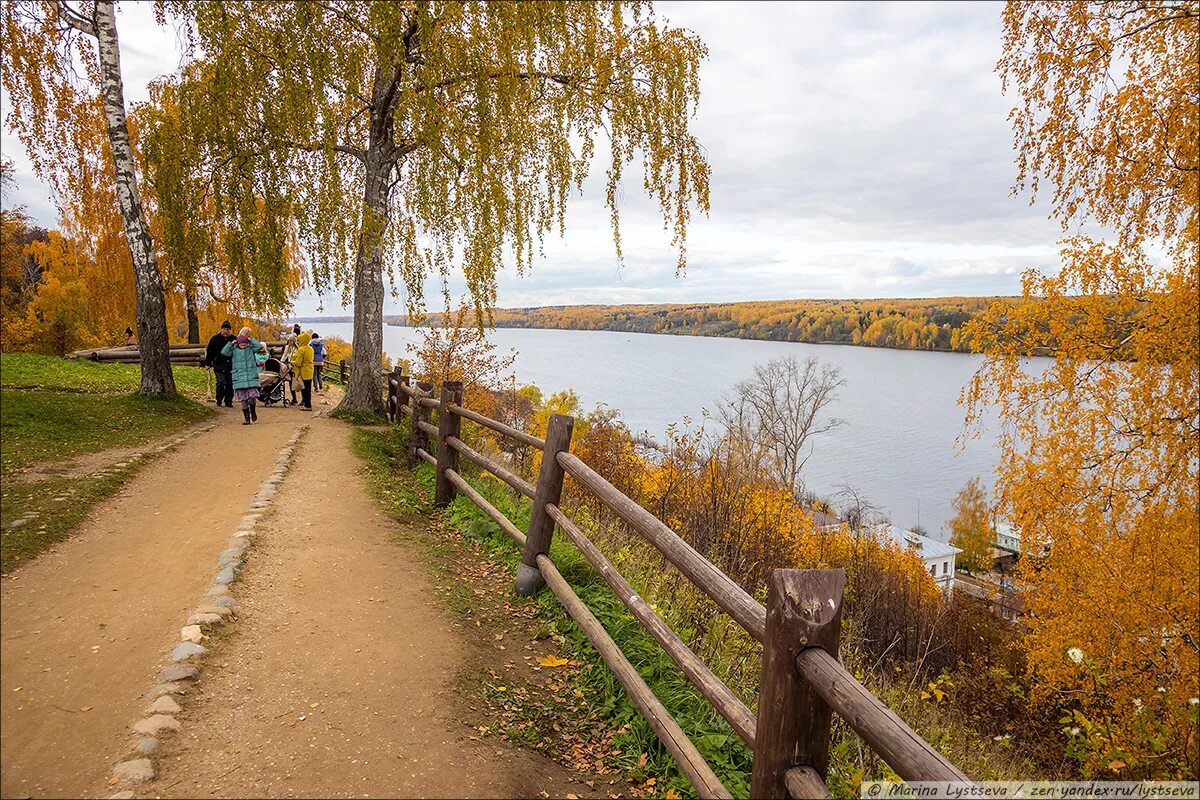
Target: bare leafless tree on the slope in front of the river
column 779, row 410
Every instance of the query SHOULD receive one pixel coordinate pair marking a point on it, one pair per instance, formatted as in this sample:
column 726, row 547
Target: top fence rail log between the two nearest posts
column 725, row 593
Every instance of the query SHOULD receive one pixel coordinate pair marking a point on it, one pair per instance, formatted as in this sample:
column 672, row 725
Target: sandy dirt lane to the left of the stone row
column 89, row 624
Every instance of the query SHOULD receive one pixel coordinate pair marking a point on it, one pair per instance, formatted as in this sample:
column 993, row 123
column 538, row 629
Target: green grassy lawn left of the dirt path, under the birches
column 53, row 410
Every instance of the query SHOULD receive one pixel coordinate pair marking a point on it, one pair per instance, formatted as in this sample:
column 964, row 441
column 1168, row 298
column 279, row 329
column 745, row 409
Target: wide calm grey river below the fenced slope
column 898, row 447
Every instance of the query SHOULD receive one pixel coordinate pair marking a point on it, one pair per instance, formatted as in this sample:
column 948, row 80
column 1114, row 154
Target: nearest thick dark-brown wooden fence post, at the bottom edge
column 803, row 611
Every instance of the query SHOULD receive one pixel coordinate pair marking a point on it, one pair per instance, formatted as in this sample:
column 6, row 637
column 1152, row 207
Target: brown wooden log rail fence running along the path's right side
column 802, row 683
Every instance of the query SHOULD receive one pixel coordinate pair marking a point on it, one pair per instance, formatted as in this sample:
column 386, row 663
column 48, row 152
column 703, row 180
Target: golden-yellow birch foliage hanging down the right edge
column 1101, row 453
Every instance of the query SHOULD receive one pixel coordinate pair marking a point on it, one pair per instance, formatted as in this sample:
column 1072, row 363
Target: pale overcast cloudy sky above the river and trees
column 859, row 151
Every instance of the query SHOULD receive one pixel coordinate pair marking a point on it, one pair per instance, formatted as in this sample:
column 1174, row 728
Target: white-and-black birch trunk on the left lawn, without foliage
column 152, row 308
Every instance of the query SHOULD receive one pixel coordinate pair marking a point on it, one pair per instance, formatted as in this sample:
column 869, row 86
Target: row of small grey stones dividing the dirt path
column 177, row 678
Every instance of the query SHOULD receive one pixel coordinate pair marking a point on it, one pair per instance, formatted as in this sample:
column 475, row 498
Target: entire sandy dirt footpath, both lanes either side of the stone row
column 337, row 678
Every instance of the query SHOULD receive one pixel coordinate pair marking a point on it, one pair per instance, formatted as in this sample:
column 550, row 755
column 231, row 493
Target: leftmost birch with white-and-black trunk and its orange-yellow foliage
column 52, row 104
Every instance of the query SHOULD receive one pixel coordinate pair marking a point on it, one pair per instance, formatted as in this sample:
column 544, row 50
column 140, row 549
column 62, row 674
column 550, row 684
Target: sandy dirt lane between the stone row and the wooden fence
column 338, row 679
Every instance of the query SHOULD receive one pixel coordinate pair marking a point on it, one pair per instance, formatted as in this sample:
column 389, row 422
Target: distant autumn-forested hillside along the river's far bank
column 923, row 324
